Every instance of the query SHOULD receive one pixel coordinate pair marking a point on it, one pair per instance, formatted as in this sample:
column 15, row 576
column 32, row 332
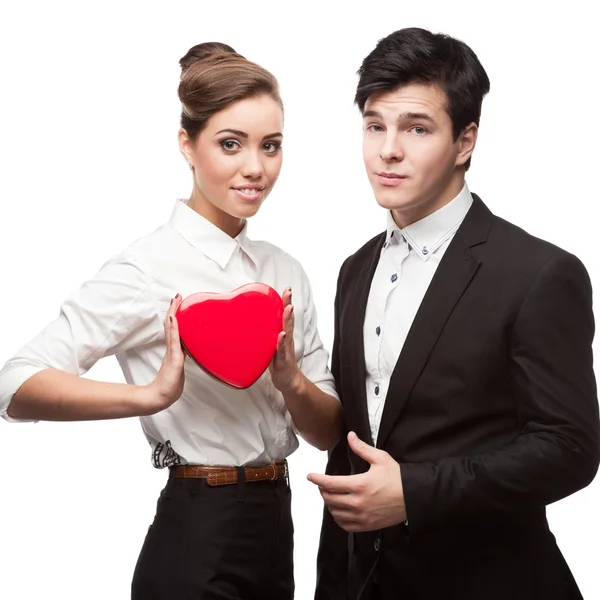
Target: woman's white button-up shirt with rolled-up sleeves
column 121, row 311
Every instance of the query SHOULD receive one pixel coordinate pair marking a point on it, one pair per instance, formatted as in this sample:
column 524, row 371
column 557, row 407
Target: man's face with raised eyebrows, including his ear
column 412, row 160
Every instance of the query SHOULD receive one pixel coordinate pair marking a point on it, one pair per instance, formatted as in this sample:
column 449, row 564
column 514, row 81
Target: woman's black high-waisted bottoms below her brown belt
column 230, row 542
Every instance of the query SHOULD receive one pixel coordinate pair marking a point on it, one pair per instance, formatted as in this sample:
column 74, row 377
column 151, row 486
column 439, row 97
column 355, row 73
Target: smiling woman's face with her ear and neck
column 236, row 160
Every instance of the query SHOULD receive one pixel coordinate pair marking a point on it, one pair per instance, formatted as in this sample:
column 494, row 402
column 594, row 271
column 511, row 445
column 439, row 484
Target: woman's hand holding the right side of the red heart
column 285, row 373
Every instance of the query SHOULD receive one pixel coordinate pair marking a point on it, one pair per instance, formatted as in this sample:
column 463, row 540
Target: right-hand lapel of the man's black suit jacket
column 451, row 279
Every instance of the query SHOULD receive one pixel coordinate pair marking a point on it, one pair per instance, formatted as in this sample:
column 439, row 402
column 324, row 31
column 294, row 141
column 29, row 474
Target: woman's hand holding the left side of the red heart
column 167, row 386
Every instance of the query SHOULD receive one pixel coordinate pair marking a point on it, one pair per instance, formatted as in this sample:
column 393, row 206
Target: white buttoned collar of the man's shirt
column 428, row 234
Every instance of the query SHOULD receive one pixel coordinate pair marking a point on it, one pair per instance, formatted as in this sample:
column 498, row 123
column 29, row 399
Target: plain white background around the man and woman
column 89, row 162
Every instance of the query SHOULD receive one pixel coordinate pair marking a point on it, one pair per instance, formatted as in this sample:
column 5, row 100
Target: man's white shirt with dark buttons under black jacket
column 407, row 263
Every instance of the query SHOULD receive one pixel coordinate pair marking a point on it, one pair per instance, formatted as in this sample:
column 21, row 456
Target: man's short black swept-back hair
column 416, row 55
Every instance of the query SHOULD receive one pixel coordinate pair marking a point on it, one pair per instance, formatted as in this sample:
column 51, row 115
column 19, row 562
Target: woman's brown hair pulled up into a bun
column 213, row 76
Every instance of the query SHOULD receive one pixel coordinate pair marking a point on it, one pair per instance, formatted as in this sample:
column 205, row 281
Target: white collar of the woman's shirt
column 208, row 238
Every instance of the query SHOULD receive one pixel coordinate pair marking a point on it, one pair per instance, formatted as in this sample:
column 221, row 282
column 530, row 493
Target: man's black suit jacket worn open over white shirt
column 491, row 412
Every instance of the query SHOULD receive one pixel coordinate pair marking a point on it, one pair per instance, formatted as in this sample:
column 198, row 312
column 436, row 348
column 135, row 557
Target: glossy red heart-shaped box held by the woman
column 232, row 336
